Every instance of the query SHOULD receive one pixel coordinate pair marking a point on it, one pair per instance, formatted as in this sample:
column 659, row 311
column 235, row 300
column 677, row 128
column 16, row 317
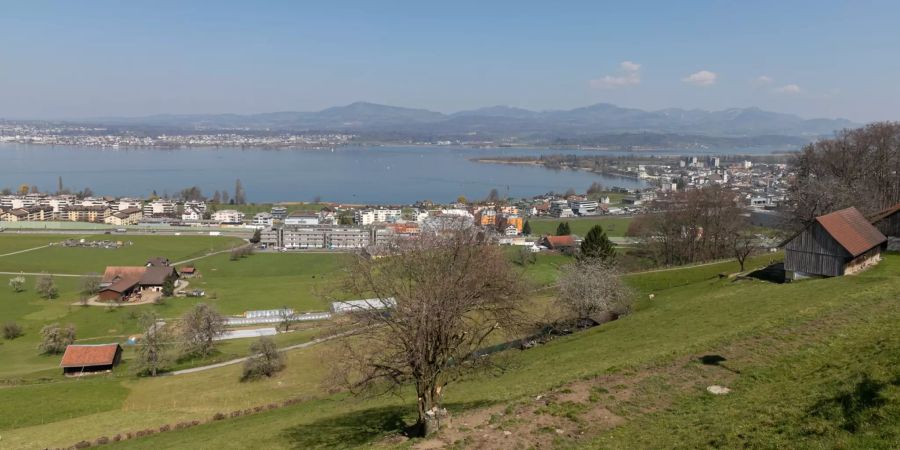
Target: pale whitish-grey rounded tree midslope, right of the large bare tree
column 591, row 288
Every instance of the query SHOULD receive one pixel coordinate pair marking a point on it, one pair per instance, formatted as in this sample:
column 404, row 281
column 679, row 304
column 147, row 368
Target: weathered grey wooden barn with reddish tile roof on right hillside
column 841, row 243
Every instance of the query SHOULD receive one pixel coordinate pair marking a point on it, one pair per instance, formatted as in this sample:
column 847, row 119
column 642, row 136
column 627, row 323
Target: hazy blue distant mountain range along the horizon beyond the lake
column 595, row 120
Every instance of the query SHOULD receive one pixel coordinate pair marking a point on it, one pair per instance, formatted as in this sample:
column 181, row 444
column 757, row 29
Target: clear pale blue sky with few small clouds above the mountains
column 63, row 59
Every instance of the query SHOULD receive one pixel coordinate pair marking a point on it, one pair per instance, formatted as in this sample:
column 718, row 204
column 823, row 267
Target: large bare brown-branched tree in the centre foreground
column 447, row 293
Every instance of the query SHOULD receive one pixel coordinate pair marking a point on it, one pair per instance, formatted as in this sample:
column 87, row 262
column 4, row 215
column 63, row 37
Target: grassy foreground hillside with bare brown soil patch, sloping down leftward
column 810, row 364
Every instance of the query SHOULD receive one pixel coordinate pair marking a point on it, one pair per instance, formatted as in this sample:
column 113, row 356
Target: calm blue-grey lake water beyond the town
column 388, row 175
